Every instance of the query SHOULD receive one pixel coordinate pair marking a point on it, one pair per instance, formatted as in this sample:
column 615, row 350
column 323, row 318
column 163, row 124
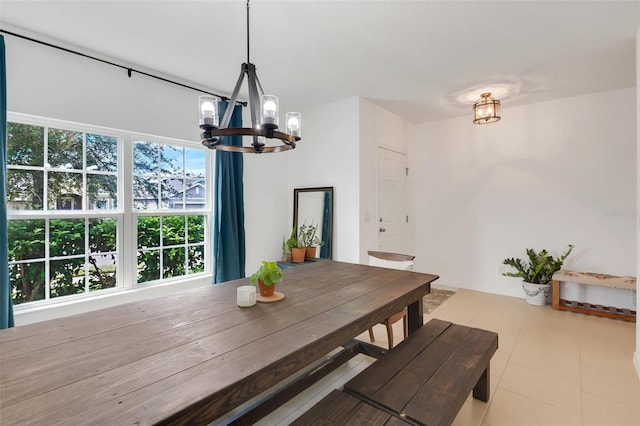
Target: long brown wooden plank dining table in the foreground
column 191, row 357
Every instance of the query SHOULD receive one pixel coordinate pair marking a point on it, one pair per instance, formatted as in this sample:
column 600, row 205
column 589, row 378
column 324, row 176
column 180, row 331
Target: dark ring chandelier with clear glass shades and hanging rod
column 264, row 117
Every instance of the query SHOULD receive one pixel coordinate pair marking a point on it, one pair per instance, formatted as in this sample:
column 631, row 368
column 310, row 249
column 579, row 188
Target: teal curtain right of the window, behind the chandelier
column 228, row 230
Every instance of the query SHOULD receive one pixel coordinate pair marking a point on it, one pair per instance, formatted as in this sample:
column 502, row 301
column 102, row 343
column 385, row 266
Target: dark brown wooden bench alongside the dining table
column 422, row 381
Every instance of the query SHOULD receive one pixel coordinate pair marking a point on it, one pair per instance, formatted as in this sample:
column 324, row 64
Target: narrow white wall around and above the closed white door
column 378, row 128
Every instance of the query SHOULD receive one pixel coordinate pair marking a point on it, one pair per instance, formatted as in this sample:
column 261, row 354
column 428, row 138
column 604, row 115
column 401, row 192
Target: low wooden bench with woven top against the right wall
column 590, row 278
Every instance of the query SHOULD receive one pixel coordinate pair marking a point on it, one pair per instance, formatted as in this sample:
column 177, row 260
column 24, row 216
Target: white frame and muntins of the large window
column 126, row 216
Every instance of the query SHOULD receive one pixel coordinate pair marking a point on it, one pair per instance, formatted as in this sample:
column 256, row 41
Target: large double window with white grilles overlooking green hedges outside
column 73, row 191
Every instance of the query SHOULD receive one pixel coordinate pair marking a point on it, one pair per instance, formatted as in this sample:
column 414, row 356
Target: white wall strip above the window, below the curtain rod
column 51, row 83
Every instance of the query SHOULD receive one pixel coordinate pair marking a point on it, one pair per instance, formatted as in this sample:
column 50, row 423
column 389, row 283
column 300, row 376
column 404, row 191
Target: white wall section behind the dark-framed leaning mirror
column 327, row 155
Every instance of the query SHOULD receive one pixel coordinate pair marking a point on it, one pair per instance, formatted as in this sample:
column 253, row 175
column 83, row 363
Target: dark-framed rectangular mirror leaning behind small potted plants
column 314, row 206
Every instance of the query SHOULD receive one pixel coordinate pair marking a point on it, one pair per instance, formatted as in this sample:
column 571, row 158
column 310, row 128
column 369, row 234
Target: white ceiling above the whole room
column 424, row 60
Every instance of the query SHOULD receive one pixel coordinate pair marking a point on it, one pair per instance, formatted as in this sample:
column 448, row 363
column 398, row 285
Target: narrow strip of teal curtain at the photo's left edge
column 6, row 307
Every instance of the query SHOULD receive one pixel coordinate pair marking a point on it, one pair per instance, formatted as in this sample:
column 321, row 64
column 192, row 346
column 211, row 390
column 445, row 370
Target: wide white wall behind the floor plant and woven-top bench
column 547, row 175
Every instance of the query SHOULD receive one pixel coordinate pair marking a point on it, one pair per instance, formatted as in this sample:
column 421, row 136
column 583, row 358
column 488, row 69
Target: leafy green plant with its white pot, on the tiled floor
column 536, row 273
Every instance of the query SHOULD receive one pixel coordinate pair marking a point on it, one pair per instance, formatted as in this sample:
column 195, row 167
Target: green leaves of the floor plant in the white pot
column 539, row 268
